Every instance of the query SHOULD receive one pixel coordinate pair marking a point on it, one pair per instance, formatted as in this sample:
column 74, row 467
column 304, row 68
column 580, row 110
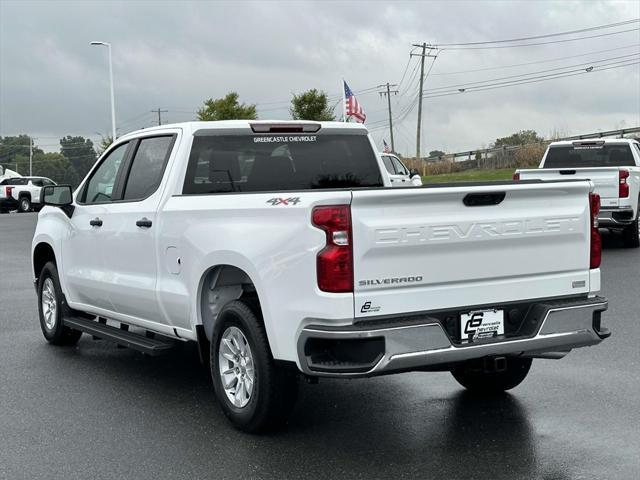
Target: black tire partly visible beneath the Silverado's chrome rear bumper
column 472, row 375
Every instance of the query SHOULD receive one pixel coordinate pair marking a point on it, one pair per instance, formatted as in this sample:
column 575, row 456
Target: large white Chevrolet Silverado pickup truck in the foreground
column 277, row 248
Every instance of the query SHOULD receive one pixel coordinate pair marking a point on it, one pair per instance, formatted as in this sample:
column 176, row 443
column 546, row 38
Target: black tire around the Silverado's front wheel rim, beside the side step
column 52, row 327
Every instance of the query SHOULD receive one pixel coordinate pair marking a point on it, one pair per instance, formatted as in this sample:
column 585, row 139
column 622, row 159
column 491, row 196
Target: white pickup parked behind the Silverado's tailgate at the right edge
column 613, row 165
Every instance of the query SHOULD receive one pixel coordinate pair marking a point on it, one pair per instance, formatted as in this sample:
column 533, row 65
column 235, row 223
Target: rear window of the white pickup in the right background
column 577, row 156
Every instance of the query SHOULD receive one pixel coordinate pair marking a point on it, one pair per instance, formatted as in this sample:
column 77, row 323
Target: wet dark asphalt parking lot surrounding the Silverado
column 95, row 411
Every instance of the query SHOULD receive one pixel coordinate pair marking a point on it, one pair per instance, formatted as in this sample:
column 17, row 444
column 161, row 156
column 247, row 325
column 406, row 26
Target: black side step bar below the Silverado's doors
column 150, row 346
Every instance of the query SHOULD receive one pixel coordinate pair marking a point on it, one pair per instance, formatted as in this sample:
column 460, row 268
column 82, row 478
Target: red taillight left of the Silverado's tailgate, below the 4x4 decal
column 335, row 261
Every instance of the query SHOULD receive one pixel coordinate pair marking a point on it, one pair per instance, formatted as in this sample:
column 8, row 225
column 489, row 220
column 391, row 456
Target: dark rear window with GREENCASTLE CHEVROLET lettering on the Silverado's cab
column 261, row 163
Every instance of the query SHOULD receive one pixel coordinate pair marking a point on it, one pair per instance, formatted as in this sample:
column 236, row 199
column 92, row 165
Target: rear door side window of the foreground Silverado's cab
column 148, row 166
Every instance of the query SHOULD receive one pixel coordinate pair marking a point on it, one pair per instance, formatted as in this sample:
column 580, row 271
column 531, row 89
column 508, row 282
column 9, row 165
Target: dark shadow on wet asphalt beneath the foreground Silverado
column 389, row 427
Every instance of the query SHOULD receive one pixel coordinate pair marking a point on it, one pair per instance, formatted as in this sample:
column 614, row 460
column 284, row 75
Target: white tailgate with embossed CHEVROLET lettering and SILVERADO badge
column 424, row 249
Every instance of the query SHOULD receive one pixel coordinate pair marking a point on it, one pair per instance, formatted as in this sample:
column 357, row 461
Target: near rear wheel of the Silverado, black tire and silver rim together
column 254, row 393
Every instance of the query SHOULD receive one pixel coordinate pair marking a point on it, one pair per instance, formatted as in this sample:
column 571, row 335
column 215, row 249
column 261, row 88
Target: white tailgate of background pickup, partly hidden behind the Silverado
column 605, row 179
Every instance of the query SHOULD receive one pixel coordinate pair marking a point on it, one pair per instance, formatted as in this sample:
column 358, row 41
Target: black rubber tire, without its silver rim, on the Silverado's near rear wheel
column 275, row 389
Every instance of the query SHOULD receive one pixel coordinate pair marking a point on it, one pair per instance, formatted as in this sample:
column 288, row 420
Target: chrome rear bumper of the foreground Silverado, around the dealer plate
column 418, row 346
